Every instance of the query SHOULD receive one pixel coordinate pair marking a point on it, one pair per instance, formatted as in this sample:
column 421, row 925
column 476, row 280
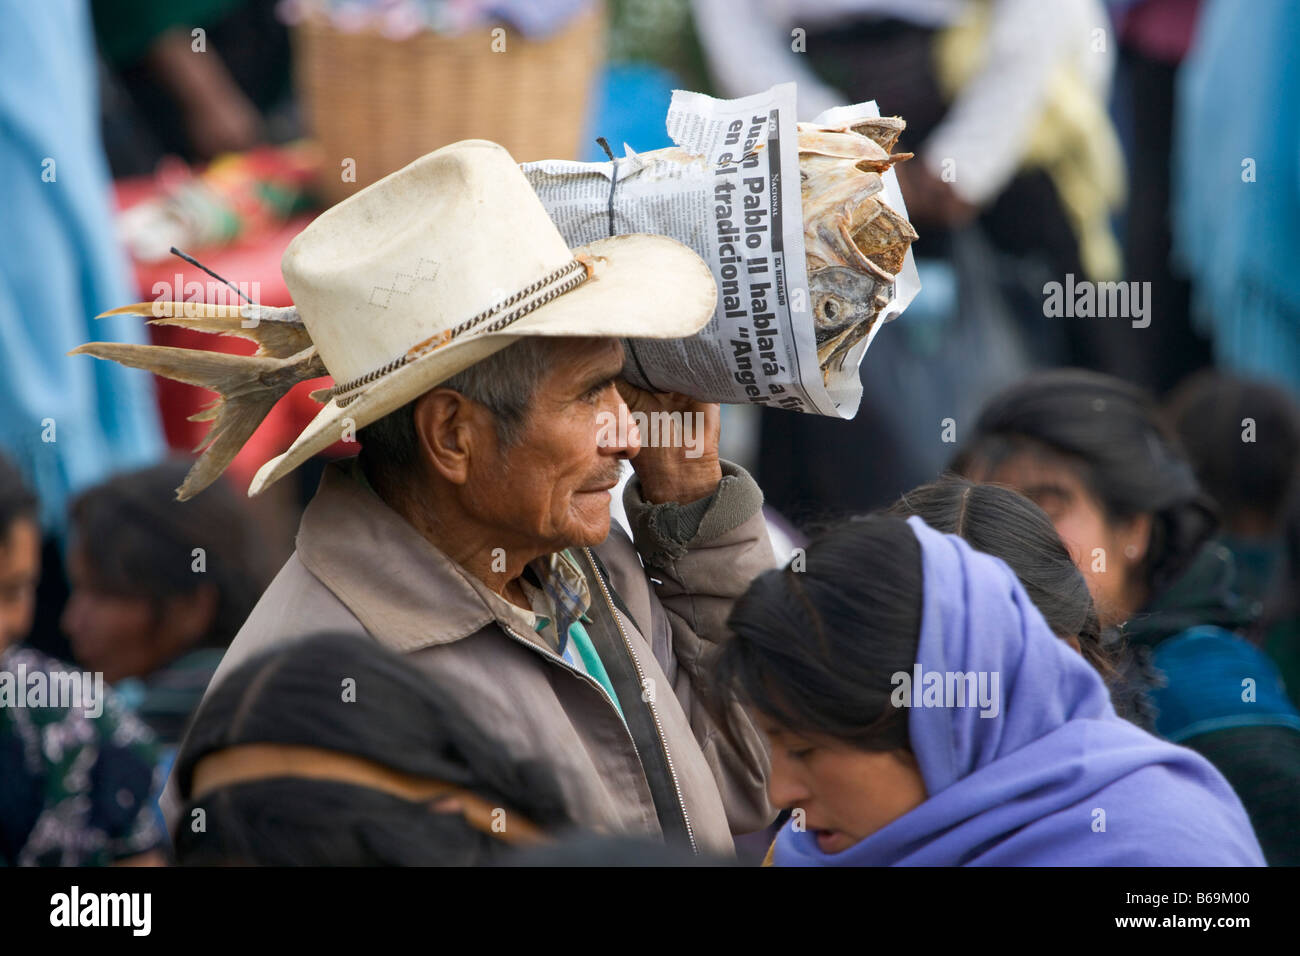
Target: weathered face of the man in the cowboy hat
column 553, row 487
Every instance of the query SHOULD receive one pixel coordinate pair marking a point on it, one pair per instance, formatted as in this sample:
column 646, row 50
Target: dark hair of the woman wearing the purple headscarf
column 814, row 650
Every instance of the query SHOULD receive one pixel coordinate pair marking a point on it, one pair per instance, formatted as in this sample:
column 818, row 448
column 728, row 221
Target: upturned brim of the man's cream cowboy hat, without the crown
column 643, row 287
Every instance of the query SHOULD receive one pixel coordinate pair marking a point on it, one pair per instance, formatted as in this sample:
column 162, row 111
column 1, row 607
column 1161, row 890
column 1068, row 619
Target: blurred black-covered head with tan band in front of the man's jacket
column 332, row 752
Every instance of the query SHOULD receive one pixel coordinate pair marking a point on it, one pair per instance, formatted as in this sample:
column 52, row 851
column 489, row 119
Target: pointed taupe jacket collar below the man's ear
column 404, row 591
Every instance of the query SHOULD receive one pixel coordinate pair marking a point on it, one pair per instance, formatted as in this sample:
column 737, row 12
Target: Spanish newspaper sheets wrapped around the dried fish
column 731, row 192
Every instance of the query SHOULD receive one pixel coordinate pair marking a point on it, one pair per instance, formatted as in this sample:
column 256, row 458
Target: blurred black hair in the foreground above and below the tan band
column 395, row 716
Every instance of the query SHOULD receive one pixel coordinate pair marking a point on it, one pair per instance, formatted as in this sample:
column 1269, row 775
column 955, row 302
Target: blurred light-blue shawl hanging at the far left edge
column 66, row 425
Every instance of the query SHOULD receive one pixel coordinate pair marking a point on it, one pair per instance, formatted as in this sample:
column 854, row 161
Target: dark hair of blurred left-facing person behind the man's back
column 140, row 542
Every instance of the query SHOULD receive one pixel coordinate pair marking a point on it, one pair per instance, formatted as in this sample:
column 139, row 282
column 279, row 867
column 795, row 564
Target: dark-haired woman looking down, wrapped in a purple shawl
column 921, row 712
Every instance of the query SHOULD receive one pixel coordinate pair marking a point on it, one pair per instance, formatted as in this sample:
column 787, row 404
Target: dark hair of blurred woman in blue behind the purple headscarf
column 1112, row 436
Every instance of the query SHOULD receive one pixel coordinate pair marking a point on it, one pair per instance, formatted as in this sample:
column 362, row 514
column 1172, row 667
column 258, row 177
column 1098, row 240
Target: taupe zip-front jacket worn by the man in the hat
column 359, row 568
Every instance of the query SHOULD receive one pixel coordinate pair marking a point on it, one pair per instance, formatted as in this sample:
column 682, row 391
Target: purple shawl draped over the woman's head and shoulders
column 1055, row 778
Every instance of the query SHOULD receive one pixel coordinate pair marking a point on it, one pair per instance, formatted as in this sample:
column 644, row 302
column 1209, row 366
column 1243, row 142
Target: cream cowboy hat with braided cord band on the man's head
column 449, row 261
